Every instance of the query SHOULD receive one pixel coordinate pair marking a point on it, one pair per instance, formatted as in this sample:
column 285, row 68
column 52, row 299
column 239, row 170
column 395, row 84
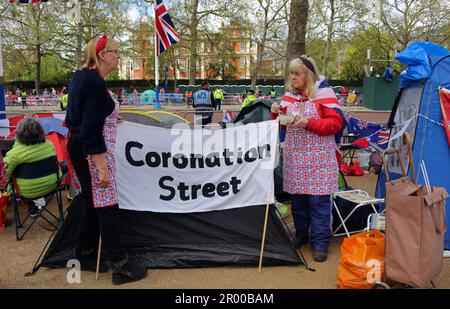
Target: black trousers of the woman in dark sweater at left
column 105, row 219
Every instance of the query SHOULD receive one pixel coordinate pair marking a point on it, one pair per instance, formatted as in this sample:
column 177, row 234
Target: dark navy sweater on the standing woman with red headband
column 89, row 105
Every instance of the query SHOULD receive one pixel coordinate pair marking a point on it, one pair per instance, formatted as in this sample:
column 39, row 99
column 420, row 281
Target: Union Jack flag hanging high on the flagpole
column 165, row 30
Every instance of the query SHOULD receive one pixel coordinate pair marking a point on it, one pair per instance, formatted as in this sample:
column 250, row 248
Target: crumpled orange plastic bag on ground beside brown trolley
column 362, row 260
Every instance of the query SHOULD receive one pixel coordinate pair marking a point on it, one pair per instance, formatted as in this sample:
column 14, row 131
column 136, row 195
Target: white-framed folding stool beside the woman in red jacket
column 360, row 199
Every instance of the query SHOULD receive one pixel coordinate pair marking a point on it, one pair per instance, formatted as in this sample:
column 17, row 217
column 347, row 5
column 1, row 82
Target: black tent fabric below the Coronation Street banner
column 163, row 240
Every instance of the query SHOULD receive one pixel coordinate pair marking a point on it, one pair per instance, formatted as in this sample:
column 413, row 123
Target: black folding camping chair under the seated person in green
column 38, row 169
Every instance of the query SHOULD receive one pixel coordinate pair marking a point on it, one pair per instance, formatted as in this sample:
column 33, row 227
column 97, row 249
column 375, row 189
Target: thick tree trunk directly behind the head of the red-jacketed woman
column 297, row 30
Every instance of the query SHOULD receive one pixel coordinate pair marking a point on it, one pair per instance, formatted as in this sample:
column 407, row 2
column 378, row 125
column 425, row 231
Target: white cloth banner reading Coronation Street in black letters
column 181, row 170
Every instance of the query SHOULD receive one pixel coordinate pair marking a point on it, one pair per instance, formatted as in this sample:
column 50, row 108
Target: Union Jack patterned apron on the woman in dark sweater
column 106, row 196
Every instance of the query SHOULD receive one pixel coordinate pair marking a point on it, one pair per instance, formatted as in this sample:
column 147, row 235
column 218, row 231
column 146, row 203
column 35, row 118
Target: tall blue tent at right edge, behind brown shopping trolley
column 419, row 101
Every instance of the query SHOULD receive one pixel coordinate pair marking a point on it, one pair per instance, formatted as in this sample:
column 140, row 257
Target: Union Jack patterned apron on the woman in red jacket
column 309, row 160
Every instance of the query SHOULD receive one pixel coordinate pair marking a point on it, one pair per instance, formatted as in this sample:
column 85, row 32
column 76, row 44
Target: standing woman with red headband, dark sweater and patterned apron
column 92, row 117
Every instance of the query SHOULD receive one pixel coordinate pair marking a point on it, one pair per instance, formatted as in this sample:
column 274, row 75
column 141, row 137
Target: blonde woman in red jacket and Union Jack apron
column 310, row 167
